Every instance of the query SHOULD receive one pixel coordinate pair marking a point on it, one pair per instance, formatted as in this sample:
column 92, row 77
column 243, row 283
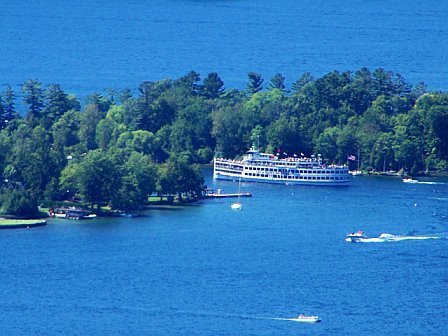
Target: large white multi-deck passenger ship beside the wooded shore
column 261, row 167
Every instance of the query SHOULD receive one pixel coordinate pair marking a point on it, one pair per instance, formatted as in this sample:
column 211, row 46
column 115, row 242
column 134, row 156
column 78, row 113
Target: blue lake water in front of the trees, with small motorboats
column 208, row 270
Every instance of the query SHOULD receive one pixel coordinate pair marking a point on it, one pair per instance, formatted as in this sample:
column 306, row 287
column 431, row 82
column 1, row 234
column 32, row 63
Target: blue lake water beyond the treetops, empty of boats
column 89, row 46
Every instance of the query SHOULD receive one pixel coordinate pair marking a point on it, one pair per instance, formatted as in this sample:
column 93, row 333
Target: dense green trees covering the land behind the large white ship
column 121, row 148
